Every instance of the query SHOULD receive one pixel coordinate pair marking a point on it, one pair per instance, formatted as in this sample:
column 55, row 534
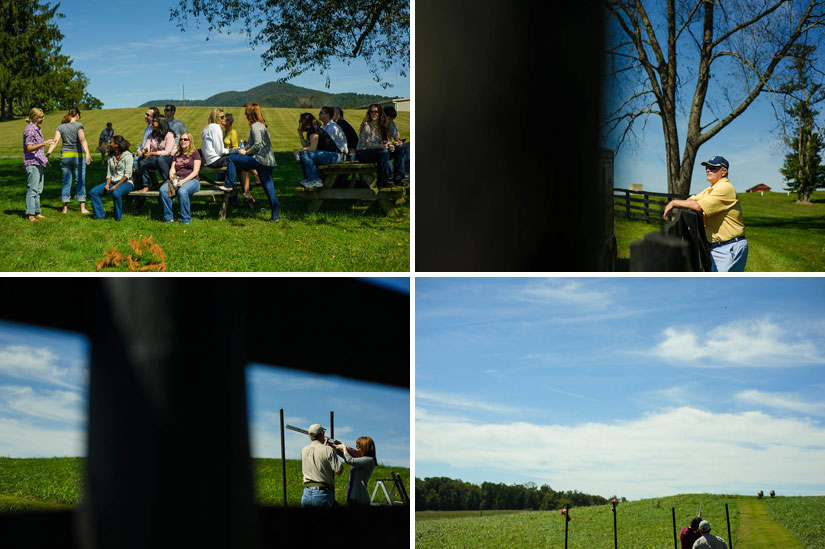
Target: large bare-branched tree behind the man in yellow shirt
column 722, row 54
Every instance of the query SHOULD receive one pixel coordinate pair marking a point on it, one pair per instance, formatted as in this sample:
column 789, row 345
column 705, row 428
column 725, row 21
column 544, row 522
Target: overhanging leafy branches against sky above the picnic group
column 303, row 35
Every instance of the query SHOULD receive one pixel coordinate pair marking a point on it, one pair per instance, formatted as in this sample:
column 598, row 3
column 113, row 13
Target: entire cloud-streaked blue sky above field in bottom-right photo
column 640, row 387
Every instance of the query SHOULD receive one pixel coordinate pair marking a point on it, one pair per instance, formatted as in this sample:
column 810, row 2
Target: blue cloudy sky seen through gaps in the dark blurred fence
column 43, row 399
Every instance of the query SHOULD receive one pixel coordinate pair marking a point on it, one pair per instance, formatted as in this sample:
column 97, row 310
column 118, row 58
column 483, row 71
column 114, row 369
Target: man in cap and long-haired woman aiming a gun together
column 320, row 463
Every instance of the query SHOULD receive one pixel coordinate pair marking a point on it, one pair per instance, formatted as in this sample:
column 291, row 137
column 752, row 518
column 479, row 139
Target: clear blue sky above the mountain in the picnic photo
column 132, row 53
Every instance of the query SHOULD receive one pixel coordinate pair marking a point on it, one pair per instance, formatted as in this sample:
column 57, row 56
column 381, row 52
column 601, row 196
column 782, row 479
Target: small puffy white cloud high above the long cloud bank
column 751, row 343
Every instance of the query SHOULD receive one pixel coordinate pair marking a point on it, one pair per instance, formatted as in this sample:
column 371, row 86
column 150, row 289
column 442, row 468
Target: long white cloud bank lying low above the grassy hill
column 671, row 451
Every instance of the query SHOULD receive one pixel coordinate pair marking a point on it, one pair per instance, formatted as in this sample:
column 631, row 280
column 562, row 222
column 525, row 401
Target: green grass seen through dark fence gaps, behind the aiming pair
column 56, row 483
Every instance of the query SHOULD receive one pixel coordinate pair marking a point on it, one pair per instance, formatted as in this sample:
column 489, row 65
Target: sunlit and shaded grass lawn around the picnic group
column 344, row 236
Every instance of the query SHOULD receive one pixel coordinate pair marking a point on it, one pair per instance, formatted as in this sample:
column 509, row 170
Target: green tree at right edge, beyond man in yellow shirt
column 803, row 170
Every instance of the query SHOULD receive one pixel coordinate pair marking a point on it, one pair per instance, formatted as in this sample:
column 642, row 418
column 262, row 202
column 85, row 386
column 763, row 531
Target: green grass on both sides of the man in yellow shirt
column 782, row 235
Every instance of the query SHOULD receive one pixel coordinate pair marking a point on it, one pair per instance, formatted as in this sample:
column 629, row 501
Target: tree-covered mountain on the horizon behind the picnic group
column 275, row 94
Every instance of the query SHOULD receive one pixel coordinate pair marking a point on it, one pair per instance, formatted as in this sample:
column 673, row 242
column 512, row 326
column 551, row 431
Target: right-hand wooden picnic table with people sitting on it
column 353, row 181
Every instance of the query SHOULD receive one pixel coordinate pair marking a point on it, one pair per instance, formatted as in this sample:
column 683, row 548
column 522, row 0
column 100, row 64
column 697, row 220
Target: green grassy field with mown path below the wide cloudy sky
column 644, row 524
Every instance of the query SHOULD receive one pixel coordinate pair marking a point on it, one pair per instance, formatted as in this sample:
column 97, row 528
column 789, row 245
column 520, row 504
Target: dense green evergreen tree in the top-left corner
column 33, row 72
